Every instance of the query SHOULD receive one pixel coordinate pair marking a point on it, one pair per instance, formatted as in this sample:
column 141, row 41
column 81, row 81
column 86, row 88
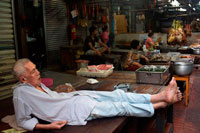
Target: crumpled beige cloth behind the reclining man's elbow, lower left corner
column 11, row 120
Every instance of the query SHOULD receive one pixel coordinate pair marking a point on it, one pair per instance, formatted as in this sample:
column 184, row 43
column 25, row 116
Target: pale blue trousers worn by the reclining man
column 120, row 103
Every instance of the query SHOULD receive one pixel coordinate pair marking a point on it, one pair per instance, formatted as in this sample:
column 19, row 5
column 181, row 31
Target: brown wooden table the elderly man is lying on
column 115, row 124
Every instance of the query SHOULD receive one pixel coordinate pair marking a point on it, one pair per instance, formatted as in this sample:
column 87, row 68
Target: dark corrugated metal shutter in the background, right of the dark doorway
column 56, row 20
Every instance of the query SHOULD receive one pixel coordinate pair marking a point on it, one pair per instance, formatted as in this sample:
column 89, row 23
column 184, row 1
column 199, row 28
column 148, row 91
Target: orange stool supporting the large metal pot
column 187, row 89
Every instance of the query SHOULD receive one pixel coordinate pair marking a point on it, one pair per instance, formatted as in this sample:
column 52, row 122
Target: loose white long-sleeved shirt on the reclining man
column 75, row 107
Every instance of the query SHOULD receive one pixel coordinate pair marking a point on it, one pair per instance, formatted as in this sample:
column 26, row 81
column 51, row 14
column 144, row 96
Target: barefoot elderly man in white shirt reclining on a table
column 32, row 98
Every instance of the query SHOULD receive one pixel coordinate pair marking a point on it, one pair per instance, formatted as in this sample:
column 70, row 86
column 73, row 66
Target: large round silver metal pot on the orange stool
column 183, row 68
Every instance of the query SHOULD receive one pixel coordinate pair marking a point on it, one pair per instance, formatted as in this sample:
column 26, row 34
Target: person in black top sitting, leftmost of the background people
column 91, row 43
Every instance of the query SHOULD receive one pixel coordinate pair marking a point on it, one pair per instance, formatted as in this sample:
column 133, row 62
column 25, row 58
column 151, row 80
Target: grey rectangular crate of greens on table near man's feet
column 152, row 74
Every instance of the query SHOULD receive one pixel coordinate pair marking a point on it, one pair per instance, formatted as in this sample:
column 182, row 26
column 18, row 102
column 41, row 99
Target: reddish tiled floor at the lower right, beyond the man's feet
column 187, row 119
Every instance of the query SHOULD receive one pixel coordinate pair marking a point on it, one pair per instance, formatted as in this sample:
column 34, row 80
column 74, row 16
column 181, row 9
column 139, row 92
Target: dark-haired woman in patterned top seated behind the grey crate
column 135, row 60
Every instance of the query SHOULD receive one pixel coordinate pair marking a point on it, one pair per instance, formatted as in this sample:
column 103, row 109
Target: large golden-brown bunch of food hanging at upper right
column 176, row 33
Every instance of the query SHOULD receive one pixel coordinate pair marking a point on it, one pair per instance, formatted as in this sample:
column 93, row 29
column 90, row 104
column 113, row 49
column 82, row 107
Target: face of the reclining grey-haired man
column 32, row 75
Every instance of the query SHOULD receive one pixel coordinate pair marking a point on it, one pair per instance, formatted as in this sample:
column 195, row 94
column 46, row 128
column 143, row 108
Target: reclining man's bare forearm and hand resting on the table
column 53, row 125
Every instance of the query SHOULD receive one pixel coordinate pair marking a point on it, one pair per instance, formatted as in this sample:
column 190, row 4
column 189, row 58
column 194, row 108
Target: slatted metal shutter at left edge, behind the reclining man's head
column 7, row 48
